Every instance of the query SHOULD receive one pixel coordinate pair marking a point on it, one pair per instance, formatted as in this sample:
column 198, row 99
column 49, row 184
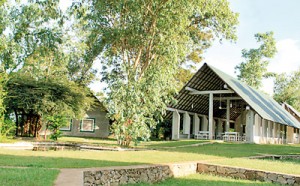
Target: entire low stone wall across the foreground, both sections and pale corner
column 156, row 173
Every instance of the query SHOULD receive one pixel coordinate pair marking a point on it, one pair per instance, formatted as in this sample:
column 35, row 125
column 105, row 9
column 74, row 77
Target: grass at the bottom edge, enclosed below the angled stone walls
column 205, row 179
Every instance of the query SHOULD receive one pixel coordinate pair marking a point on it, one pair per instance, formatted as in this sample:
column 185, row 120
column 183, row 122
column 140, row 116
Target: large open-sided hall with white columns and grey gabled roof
column 214, row 105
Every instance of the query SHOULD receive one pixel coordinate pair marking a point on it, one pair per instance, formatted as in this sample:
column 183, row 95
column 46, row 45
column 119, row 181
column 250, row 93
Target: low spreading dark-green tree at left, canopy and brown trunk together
column 34, row 100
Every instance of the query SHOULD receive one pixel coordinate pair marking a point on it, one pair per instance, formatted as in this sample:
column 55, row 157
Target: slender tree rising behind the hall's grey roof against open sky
column 254, row 69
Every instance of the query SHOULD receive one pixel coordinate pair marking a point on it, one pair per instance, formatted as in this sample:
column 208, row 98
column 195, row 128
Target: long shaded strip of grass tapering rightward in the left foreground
column 57, row 162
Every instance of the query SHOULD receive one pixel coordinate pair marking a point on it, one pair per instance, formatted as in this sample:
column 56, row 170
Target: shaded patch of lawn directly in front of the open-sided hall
column 235, row 150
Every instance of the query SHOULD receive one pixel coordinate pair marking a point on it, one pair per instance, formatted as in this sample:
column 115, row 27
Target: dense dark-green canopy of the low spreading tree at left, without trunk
column 47, row 96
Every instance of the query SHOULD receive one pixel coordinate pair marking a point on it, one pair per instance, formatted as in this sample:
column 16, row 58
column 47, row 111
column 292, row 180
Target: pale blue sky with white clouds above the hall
column 257, row 16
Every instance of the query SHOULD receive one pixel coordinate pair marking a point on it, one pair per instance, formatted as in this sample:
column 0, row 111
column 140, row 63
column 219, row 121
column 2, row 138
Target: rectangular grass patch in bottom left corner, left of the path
column 27, row 176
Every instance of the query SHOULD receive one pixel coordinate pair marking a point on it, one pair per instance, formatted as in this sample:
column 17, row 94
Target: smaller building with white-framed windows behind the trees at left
column 94, row 124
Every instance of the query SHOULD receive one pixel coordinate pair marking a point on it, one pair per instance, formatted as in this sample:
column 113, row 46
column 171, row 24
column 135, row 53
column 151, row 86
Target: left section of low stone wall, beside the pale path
column 128, row 174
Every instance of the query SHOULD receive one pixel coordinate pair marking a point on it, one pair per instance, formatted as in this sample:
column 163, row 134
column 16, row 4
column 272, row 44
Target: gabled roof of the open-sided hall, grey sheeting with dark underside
column 211, row 78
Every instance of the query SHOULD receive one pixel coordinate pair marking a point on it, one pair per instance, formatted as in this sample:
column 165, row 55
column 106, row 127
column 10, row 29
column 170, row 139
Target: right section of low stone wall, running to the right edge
column 249, row 174
